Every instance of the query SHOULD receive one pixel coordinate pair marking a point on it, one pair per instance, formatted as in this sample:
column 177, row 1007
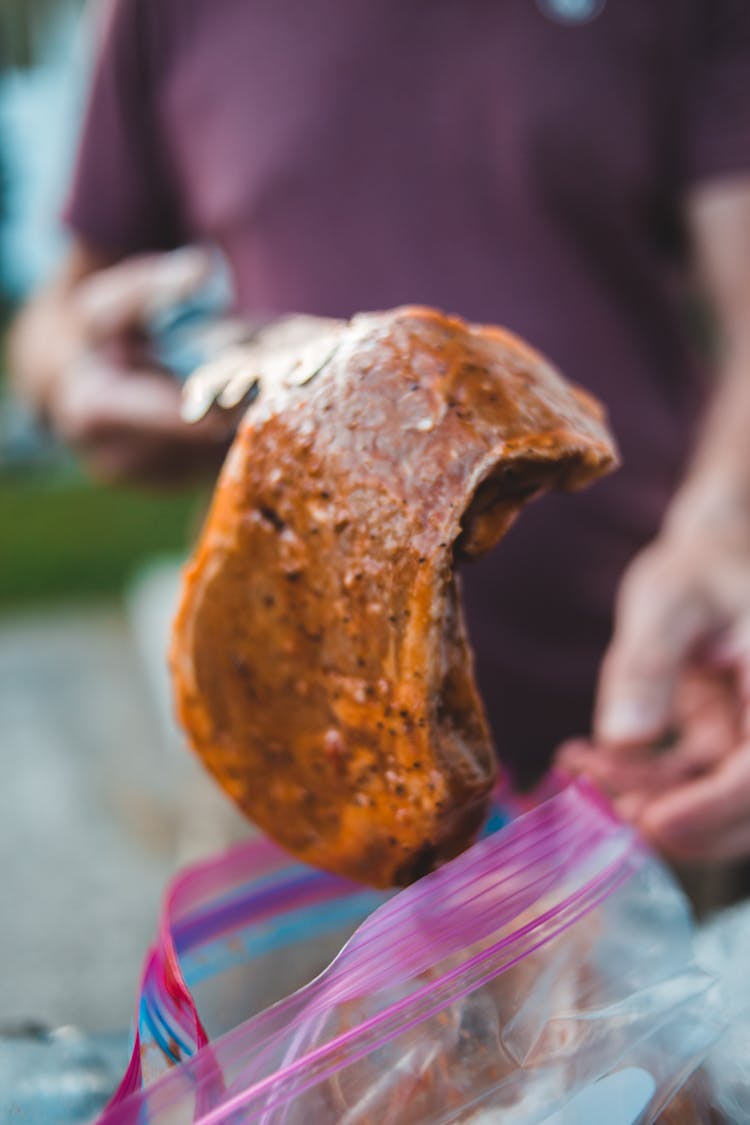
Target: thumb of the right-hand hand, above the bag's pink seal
column 661, row 617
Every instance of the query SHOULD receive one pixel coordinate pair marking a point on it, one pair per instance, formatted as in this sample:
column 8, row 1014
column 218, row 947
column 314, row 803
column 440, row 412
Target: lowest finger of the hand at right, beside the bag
column 704, row 817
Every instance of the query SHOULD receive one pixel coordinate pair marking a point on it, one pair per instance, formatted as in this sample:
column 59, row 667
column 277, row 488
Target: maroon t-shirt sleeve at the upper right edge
column 719, row 128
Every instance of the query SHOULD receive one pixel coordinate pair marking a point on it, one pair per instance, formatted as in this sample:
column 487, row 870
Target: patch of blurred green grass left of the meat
column 64, row 537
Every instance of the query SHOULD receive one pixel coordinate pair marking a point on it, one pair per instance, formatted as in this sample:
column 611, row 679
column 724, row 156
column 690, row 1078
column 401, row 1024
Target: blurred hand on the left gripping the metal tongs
column 110, row 401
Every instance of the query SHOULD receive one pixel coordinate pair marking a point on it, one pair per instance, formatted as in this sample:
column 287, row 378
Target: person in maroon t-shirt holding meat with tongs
column 577, row 172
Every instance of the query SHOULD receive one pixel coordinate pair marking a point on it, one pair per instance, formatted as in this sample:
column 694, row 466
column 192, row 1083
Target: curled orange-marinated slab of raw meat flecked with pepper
column 320, row 658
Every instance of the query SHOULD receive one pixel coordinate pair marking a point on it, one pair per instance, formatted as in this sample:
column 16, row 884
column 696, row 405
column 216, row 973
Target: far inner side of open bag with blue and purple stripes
column 236, row 934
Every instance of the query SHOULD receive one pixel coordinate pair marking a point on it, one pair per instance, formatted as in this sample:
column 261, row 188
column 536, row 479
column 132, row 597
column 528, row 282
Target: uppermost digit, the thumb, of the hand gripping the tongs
column 126, row 295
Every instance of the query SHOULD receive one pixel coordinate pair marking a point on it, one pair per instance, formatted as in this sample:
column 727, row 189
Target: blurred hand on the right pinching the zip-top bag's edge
column 672, row 734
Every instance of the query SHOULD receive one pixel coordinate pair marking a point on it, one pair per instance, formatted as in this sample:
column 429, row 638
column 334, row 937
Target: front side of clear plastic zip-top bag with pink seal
column 545, row 976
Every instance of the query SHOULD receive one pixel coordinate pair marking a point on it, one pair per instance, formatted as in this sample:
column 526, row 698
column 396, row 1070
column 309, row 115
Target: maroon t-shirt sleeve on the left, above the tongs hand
column 121, row 199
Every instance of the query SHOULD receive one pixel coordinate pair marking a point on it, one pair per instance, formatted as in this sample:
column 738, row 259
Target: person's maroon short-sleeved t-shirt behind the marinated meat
column 516, row 161
